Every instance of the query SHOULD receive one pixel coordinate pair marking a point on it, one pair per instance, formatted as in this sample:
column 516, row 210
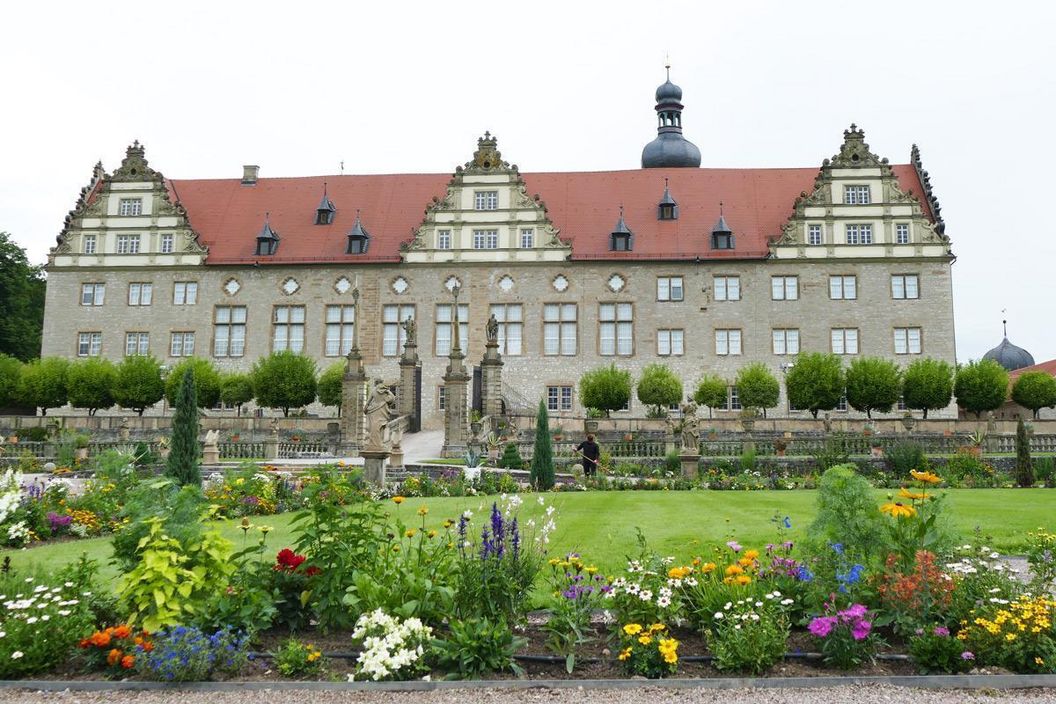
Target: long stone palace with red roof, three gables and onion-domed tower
column 702, row 270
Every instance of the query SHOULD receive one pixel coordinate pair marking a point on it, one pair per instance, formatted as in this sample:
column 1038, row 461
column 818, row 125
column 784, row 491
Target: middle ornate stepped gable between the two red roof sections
column 486, row 215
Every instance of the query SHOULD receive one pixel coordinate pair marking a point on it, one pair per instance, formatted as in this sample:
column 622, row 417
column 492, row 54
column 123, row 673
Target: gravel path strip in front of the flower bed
column 858, row 695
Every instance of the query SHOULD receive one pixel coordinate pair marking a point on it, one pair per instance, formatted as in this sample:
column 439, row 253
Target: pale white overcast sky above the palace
column 408, row 87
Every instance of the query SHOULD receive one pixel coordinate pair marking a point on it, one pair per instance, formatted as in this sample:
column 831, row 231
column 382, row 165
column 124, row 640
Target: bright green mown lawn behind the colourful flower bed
column 602, row 525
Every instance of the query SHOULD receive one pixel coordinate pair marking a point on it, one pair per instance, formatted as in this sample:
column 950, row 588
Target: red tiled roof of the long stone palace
column 584, row 206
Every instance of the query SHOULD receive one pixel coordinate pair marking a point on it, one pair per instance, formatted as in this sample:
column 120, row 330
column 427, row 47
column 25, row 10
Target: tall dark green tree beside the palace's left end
column 23, row 293
